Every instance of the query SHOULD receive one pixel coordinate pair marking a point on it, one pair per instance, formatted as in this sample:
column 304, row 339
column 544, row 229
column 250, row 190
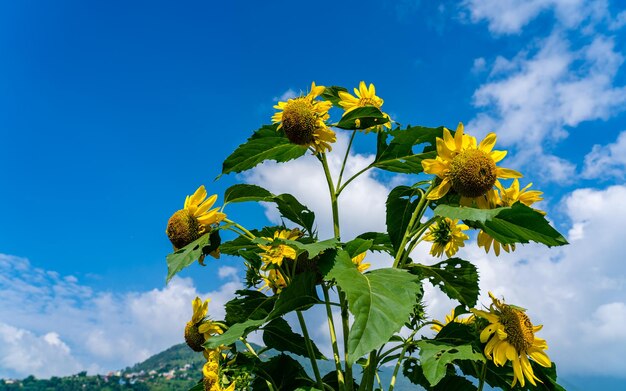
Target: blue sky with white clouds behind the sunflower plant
column 113, row 112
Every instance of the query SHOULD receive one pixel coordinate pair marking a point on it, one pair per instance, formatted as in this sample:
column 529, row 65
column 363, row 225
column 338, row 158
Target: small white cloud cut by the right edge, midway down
column 608, row 161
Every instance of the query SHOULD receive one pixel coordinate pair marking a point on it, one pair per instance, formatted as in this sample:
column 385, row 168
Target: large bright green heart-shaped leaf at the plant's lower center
column 380, row 301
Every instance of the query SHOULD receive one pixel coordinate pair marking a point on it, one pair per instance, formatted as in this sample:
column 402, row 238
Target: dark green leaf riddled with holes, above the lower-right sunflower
column 455, row 277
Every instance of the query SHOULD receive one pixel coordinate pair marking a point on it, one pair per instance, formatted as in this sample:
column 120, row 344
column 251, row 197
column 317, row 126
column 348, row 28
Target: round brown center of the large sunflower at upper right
column 472, row 173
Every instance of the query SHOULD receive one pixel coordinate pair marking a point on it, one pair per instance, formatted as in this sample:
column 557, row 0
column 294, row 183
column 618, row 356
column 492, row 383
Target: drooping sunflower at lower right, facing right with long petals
column 510, row 336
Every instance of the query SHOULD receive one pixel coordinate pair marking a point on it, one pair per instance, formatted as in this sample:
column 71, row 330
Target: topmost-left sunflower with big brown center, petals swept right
column 304, row 120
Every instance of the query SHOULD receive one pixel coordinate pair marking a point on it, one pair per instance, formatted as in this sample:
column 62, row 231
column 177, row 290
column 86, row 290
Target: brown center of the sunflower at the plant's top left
column 299, row 121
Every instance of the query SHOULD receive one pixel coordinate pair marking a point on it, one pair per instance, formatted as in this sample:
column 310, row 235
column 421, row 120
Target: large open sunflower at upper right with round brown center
column 467, row 168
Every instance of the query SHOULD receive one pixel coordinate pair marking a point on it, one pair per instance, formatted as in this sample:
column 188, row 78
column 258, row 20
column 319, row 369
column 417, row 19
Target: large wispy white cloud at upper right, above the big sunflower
column 532, row 98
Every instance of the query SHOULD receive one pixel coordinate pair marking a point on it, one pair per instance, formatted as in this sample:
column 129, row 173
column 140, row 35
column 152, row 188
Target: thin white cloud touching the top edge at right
column 510, row 16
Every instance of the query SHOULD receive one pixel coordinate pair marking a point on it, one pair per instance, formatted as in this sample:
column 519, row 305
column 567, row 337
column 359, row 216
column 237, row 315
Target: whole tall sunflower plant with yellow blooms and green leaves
column 376, row 318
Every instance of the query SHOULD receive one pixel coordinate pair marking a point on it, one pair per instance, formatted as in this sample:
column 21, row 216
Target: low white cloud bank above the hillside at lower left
column 55, row 326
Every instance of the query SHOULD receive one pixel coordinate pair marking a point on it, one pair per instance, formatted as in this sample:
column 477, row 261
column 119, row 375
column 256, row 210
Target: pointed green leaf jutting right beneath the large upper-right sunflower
column 520, row 224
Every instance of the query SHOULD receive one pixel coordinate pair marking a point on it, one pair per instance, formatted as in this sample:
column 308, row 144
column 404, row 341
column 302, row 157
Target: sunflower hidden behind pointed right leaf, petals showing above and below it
column 502, row 198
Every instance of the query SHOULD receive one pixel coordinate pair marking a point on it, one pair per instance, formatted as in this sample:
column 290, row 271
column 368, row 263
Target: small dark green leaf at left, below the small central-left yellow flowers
column 250, row 304
